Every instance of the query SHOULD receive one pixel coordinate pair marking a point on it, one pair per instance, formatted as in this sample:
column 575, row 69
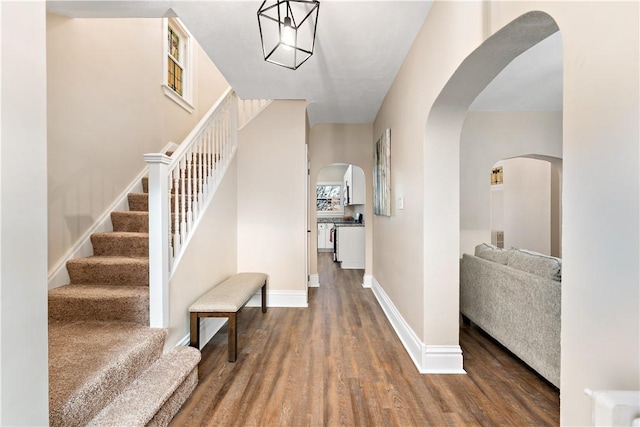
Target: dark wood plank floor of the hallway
column 339, row 362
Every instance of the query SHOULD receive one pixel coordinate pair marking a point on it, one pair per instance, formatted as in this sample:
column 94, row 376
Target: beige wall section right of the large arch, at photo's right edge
column 600, row 277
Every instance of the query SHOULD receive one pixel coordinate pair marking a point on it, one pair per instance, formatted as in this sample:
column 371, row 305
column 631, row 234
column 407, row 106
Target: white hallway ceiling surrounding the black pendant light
column 356, row 58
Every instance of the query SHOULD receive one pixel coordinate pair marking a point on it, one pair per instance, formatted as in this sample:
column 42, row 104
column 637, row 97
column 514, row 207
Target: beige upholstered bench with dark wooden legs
column 226, row 300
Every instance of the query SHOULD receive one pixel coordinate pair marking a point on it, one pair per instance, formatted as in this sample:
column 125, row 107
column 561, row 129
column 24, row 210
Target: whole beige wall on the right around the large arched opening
column 600, row 330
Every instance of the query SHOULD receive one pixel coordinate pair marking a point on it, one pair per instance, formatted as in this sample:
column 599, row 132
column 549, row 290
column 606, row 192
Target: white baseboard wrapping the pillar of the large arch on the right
column 429, row 359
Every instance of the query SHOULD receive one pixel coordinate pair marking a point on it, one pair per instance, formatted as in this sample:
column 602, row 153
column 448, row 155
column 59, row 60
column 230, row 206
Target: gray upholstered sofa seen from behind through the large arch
column 514, row 296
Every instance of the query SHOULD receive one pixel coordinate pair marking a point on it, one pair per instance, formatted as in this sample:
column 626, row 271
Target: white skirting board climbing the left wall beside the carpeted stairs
column 58, row 275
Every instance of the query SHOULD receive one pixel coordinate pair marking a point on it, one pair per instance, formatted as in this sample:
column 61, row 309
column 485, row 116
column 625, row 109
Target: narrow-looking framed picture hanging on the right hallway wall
column 382, row 175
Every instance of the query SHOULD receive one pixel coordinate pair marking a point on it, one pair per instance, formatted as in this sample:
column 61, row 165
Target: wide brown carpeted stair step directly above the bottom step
column 90, row 363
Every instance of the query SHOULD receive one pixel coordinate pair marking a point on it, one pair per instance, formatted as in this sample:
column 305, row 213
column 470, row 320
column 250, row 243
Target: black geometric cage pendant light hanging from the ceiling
column 288, row 31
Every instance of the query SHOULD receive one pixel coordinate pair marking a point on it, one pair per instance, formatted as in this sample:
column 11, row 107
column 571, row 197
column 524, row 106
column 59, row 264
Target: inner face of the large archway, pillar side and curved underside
column 442, row 145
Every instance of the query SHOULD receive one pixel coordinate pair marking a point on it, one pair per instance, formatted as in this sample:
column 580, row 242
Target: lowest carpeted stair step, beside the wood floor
column 162, row 384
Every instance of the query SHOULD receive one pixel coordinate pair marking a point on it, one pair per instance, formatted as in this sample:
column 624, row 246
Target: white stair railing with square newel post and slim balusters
column 180, row 188
